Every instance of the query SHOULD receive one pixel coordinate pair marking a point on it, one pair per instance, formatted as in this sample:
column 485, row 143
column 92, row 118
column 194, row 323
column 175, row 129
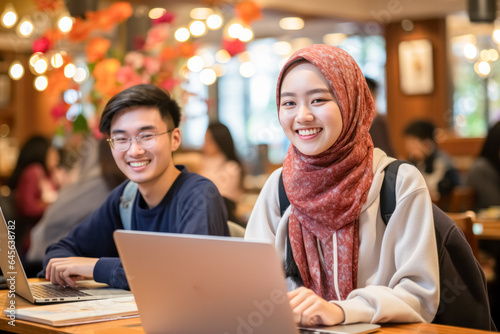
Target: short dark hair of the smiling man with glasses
column 137, row 96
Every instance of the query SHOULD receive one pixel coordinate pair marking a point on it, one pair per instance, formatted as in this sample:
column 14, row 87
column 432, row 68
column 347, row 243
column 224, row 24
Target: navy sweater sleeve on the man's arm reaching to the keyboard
column 94, row 238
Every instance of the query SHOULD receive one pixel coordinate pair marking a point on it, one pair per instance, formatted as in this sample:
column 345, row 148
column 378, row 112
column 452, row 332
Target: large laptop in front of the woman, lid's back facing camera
column 212, row 285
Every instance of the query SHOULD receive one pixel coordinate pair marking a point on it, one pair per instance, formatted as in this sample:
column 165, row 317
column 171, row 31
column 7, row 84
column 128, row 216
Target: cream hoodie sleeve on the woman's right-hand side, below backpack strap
column 405, row 286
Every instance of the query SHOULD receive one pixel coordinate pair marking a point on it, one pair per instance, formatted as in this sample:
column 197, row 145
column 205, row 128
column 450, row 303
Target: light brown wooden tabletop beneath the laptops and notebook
column 133, row 325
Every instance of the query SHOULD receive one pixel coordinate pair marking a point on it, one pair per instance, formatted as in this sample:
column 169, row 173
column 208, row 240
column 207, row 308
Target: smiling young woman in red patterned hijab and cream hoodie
column 352, row 266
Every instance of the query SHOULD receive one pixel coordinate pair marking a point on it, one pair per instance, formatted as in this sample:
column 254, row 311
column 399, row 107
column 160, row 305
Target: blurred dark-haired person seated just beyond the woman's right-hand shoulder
column 436, row 166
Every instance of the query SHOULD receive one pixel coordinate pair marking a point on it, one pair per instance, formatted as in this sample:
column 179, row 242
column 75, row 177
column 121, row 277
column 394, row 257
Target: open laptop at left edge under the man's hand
column 42, row 292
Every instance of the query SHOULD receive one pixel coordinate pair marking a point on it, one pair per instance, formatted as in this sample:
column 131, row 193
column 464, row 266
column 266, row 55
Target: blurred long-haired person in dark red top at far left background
column 34, row 182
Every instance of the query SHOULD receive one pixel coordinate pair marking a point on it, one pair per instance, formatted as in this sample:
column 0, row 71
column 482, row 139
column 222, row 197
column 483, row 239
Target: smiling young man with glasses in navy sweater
column 142, row 125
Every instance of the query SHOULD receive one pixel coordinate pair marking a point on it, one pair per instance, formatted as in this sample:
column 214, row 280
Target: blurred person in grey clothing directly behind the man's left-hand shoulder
column 98, row 175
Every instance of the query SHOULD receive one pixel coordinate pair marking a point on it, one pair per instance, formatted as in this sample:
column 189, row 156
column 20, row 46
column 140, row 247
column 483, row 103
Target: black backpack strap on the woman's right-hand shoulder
column 388, row 190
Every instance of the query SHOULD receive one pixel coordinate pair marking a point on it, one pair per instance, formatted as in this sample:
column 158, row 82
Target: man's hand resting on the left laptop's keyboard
column 67, row 270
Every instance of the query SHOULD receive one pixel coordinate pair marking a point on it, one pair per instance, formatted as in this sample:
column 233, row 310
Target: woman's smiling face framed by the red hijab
column 309, row 113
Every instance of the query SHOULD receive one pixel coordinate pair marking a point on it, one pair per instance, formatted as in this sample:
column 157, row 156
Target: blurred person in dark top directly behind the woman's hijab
column 379, row 129
